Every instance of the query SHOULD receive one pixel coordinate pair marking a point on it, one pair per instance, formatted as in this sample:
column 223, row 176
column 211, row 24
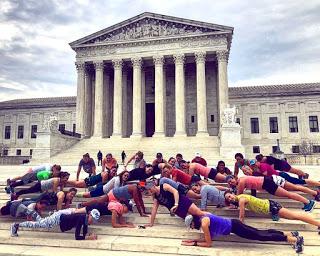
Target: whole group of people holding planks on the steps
column 179, row 181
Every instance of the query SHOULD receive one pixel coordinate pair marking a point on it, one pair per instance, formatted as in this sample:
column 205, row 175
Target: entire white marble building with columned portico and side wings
column 161, row 79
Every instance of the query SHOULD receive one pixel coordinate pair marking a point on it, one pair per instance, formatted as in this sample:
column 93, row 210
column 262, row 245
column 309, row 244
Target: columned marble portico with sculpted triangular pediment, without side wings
column 152, row 75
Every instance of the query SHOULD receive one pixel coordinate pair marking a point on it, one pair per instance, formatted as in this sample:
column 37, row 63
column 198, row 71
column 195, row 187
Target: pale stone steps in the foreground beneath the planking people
column 162, row 239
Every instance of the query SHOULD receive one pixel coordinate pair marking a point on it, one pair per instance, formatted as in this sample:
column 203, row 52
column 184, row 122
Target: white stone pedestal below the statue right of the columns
column 230, row 140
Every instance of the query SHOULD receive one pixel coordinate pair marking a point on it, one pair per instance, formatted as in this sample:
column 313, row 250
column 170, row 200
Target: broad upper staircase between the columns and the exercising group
column 169, row 146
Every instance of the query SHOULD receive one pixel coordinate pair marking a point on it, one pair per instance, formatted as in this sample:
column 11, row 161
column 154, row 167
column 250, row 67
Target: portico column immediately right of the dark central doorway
column 160, row 111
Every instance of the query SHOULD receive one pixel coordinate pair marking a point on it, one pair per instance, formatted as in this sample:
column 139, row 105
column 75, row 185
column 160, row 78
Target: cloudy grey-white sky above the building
column 274, row 42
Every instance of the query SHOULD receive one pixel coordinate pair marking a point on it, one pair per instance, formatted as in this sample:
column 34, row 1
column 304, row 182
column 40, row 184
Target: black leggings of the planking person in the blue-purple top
column 248, row 232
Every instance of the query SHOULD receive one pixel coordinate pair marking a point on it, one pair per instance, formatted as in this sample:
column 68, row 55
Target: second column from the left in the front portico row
column 99, row 99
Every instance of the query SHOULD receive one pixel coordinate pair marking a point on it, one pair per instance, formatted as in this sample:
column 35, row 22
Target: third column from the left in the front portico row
column 117, row 98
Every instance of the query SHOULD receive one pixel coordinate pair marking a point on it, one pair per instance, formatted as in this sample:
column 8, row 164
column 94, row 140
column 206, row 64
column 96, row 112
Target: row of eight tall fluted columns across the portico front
column 84, row 96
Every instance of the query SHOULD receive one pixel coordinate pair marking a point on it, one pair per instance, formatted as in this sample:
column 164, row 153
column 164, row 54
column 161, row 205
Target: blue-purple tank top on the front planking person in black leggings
column 218, row 226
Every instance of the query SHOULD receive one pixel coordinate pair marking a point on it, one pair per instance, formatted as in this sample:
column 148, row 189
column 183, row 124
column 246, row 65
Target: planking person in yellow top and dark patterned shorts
column 266, row 206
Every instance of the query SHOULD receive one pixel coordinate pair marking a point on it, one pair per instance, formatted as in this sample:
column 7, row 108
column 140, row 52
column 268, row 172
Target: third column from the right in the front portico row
column 180, row 105
